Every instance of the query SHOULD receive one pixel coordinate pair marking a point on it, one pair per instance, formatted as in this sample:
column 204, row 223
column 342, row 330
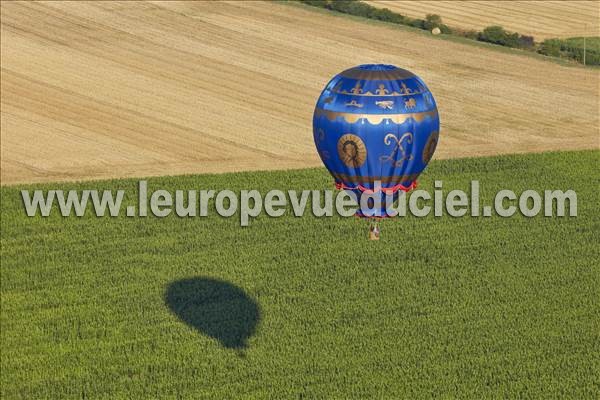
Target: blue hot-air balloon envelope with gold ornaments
column 376, row 127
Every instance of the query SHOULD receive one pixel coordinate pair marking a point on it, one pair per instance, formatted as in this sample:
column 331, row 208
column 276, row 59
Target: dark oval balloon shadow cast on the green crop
column 215, row 308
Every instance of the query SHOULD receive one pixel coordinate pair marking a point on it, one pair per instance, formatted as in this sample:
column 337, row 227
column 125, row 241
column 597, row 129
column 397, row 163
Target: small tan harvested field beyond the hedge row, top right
column 541, row 19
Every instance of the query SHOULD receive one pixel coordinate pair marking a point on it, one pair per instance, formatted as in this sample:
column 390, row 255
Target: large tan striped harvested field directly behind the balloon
column 98, row 90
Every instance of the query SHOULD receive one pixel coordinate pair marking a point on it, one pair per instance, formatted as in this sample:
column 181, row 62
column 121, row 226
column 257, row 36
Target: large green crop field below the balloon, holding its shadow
column 307, row 307
